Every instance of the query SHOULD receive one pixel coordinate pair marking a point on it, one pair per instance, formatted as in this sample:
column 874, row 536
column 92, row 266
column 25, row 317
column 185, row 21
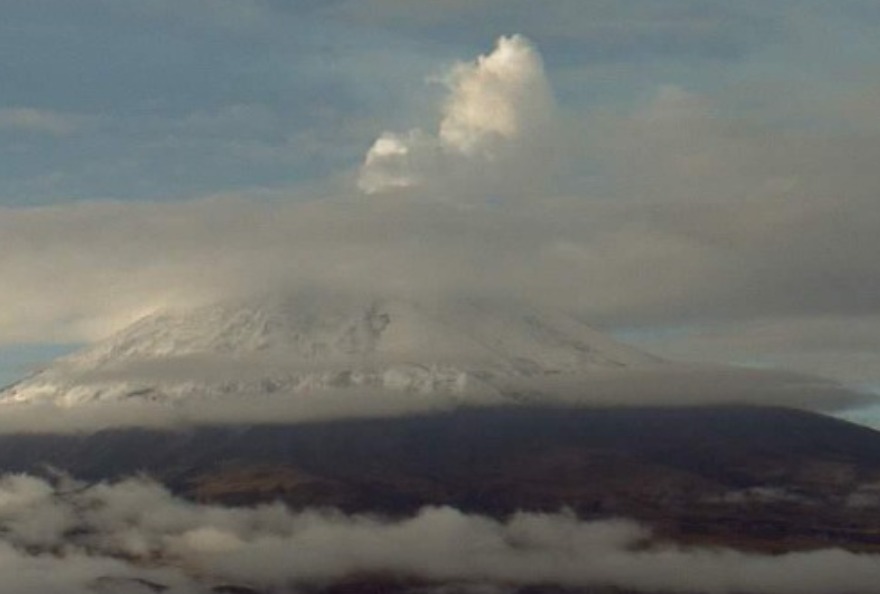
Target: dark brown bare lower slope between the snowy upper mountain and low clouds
column 755, row 477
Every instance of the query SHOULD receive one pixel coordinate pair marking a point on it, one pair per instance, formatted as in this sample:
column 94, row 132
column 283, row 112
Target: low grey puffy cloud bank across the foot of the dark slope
column 76, row 538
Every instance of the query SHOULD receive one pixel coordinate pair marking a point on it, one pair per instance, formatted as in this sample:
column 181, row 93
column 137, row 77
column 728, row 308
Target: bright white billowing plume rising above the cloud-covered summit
column 500, row 109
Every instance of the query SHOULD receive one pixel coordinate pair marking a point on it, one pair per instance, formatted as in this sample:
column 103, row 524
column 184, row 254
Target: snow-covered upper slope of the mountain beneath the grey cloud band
column 307, row 343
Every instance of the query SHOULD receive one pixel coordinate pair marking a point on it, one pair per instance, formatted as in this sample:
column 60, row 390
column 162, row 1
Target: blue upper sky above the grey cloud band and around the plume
column 165, row 100
